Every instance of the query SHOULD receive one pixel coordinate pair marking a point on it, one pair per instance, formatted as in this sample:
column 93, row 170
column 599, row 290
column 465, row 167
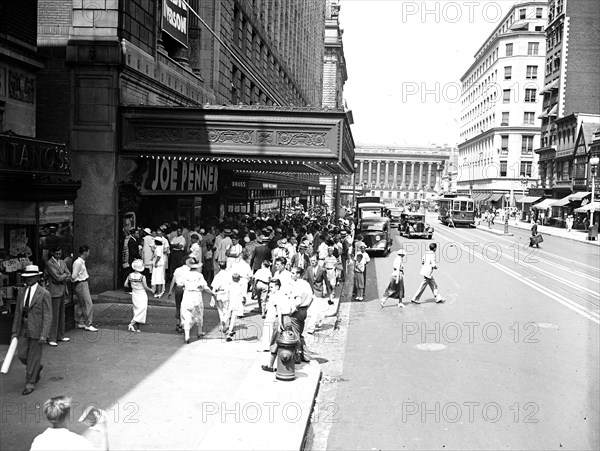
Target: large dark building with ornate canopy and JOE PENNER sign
column 172, row 116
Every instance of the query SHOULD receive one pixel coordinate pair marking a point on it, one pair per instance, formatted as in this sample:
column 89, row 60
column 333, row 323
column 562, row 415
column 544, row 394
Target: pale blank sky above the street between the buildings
column 404, row 61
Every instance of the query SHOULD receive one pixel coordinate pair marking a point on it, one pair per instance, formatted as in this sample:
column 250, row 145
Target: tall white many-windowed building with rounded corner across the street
column 499, row 125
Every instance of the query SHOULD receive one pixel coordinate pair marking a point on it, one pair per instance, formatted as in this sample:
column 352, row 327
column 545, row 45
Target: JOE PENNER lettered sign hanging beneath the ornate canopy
column 180, row 176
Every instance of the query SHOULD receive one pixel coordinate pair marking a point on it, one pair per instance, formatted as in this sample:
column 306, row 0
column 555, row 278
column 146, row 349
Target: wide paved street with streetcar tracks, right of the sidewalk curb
column 509, row 361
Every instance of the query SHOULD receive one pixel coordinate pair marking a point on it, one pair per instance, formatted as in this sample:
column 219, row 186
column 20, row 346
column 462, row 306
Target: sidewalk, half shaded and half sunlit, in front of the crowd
column 161, row 393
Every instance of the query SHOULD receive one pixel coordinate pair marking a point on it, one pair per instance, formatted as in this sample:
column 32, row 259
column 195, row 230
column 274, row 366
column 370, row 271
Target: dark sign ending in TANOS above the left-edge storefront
column 27, row 155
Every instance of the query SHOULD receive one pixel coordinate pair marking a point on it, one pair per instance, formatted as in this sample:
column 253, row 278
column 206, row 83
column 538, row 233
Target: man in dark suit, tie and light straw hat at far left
column 31, row 326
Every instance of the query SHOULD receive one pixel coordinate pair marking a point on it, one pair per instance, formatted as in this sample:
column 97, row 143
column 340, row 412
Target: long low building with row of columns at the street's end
column 397, row 174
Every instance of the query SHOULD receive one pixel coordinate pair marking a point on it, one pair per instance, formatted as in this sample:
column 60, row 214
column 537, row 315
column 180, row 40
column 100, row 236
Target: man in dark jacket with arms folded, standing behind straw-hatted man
column 57, row 274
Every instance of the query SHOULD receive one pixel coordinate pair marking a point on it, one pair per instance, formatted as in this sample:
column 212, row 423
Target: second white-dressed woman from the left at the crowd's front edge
column 192, row 305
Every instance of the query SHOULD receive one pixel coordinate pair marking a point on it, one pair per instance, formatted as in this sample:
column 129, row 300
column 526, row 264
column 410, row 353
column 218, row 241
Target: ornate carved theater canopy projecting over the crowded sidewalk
column 243, row 138
